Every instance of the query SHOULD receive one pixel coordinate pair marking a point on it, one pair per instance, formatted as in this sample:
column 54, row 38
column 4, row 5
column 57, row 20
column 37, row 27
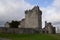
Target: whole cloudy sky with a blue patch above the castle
column 14, row 10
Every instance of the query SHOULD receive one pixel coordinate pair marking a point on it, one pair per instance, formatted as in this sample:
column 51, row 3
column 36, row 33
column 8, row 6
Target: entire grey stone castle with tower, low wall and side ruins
column 32, row 23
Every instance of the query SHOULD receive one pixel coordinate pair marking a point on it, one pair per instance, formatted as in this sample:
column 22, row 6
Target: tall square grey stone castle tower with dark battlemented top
column 33, row 18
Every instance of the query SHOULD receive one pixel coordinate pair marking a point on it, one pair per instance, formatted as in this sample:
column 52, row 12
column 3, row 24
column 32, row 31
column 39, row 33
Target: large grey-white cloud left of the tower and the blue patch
column 12, row 10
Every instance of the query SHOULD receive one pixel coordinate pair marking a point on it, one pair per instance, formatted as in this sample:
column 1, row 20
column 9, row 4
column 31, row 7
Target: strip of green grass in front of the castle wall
column 31, row 36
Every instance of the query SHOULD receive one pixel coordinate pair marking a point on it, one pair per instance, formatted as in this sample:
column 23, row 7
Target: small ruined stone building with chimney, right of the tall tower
column 49, row 29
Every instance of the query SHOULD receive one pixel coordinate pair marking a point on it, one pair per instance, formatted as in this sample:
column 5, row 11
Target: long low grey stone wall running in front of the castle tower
column 18, row 30
